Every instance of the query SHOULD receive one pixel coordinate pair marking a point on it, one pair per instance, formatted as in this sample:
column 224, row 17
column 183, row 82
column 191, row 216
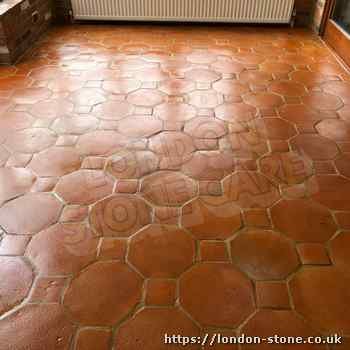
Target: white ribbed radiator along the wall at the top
column 240, row 11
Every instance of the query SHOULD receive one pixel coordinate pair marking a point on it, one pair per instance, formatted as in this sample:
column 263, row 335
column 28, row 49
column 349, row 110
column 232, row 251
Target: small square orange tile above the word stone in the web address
column 272, row 295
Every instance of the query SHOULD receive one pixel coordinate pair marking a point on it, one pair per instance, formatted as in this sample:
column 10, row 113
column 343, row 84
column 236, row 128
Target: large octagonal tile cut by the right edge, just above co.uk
column 305, row 289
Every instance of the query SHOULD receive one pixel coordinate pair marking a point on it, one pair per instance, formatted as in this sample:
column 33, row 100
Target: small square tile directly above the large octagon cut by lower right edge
column 313, row 254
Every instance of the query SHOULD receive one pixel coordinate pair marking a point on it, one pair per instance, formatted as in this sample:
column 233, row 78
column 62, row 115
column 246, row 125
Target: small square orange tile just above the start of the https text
column 160, row 292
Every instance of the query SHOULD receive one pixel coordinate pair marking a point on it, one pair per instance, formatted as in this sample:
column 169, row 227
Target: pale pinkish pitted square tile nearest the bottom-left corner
column 48, row 290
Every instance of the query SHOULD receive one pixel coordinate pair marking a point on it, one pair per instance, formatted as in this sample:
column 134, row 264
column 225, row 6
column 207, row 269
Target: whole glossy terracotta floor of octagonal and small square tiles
column 168, row 179
